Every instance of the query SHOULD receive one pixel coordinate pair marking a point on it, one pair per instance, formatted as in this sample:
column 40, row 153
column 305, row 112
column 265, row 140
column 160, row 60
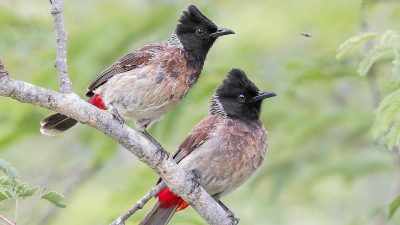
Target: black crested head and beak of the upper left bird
column 197, row 33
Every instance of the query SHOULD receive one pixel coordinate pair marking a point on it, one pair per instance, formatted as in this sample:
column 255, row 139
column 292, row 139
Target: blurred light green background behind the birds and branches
column 322, row 165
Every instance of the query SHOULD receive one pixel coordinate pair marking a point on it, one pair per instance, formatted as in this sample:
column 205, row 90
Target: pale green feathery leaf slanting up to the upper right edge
column 387, row 42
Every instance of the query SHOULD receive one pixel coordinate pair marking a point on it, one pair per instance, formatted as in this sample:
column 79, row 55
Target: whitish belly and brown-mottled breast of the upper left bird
column 150, row 91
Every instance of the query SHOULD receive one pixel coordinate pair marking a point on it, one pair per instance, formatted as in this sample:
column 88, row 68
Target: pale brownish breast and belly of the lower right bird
column 228, row 158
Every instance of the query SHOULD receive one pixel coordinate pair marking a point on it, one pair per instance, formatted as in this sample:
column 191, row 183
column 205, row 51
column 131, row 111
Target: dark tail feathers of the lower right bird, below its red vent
column 158, row 215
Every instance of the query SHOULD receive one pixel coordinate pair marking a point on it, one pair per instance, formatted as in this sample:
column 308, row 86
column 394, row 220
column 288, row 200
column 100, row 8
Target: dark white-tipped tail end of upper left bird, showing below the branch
column 56, row 123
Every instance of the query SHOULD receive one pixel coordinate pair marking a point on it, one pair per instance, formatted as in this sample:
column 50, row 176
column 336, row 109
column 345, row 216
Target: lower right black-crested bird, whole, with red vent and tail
column 224, row 149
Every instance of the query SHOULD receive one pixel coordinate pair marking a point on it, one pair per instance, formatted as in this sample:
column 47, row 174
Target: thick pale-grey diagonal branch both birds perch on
column 71, row 105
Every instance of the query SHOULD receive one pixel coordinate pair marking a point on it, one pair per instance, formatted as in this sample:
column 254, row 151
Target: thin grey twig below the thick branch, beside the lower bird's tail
column 139, row 204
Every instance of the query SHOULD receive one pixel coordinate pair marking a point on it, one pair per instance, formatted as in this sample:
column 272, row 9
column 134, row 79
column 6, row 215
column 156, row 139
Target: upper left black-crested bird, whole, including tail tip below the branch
column 147, row 82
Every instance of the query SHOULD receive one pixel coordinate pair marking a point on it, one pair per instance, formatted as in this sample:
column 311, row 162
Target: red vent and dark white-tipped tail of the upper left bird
column 57, row 123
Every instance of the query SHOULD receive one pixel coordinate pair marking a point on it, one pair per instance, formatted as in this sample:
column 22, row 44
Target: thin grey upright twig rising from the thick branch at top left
column 61, row 40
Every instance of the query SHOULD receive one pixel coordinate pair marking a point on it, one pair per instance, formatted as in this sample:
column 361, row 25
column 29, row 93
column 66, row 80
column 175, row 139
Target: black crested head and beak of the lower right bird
column 238, row 97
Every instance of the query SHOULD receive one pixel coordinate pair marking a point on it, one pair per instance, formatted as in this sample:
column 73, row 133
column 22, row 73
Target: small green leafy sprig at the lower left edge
column 11, row 187
